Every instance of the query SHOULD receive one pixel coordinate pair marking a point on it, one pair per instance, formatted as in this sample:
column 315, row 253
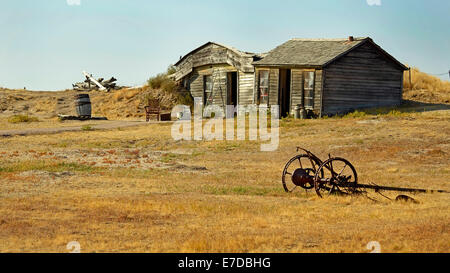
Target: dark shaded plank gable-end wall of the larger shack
column 364, row 78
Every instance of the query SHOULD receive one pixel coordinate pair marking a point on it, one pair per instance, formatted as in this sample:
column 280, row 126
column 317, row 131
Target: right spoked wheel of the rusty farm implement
column 339, row 177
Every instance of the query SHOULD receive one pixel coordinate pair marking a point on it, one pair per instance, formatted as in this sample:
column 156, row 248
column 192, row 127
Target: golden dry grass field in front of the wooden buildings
column 138, row 190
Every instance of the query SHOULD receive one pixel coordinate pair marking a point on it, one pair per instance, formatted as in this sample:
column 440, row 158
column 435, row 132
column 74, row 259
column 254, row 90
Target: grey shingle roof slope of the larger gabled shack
column 309, row 52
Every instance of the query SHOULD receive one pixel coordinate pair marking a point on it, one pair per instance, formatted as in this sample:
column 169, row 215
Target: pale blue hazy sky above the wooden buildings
column 46, row 44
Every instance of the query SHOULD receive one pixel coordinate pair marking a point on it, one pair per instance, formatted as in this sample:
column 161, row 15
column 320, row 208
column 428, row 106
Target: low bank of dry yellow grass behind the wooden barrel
column 116, row 104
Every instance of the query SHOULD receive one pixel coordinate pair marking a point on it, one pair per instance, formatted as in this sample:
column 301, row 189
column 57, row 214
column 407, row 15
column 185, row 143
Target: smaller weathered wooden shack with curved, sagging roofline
column 219, row 74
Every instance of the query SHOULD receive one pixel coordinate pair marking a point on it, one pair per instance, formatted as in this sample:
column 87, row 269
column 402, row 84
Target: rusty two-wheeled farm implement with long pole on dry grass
column 334, row 176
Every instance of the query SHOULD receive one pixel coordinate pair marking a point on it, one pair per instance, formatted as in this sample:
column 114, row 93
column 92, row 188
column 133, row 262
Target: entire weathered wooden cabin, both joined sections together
column 325, row 76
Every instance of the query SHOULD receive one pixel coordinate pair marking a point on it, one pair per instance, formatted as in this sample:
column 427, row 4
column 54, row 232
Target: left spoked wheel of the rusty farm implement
column 300, row 172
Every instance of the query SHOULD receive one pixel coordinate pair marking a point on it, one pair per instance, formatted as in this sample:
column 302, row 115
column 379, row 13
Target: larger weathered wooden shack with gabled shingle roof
column 329, row 76
